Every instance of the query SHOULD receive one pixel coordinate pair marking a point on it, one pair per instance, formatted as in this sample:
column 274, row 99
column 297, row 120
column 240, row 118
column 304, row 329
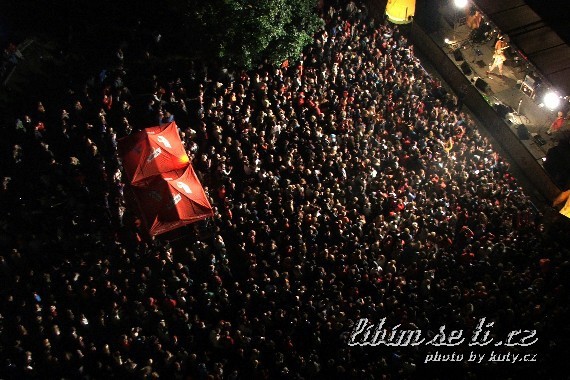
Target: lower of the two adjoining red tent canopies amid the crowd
column 172, row 200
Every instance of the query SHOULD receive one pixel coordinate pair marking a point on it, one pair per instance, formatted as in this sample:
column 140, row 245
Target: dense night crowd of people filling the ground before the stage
column 348, row 184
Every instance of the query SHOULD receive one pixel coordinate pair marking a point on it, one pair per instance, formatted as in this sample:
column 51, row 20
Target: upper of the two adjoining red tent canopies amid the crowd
column 152, row 151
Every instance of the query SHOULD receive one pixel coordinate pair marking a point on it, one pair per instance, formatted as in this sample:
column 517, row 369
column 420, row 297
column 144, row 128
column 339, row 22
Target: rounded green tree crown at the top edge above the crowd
column 245, row 32
